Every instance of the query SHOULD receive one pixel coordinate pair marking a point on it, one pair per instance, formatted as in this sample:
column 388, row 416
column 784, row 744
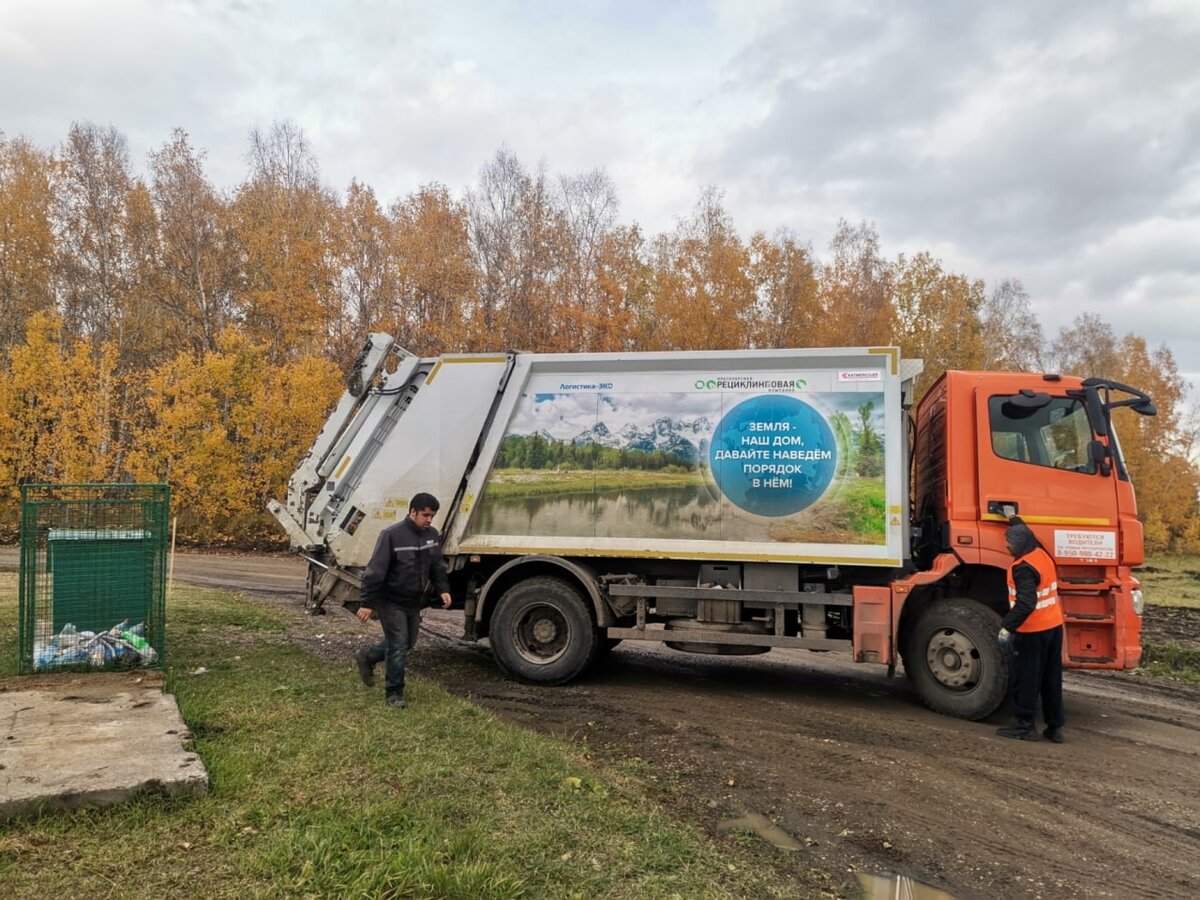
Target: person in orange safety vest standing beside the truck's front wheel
column 1034, row 627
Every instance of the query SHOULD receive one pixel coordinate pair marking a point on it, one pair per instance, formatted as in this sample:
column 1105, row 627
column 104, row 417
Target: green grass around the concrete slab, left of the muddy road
column 319, row 790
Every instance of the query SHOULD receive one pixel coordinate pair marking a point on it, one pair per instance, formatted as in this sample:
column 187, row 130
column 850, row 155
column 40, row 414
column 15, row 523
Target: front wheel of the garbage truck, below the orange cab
column 953, row 659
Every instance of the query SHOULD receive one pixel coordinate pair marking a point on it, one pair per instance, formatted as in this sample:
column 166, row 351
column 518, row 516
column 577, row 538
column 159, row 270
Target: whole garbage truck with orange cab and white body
column 731, row 503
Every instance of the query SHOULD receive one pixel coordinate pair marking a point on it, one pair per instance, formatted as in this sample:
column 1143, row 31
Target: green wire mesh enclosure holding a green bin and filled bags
column 93, row 577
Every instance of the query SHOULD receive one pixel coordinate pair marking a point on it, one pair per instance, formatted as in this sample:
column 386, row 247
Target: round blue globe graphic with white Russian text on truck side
column 773, row 455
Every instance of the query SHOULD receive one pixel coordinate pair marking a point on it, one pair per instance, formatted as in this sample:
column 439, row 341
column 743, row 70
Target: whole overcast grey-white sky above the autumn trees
column 1058, row 143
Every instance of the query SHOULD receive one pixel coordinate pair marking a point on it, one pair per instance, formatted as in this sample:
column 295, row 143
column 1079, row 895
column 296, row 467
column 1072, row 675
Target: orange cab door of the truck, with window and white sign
column 1034, row 455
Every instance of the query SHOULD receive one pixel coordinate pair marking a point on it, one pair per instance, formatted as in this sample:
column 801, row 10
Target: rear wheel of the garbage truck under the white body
column 543, row 632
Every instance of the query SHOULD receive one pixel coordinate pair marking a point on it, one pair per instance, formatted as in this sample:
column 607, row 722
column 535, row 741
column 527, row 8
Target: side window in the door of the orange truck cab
column 1055, row 435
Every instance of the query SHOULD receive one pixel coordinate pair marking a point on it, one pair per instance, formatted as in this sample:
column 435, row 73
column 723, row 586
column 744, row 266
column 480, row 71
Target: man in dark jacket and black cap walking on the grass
column 407, row 561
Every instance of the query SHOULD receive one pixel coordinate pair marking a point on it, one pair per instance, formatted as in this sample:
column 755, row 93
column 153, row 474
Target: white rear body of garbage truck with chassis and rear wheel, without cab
column 719, row 502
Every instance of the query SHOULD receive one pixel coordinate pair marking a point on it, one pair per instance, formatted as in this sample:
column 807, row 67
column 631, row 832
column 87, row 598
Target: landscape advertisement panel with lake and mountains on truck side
column 783, row 458
